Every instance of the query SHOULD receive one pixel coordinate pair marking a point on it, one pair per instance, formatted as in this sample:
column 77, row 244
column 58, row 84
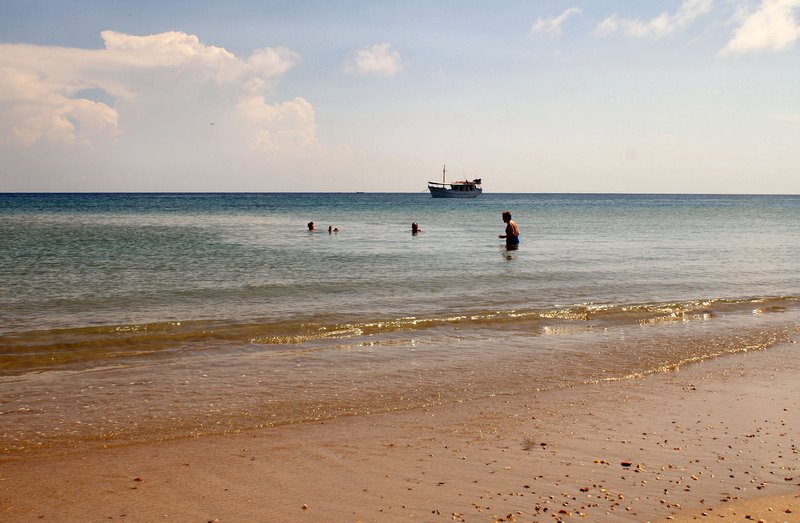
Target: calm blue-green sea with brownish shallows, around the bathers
column 131, row 318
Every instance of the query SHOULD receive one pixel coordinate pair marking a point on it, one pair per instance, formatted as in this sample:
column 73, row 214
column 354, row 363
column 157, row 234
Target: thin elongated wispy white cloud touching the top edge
column 661, row 26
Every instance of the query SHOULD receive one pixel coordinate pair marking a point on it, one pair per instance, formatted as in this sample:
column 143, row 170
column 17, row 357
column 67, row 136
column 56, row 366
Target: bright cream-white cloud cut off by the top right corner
column 771, row 27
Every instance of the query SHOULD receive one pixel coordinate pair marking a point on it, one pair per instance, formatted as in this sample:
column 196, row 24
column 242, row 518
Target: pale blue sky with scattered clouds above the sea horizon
column 684, row 96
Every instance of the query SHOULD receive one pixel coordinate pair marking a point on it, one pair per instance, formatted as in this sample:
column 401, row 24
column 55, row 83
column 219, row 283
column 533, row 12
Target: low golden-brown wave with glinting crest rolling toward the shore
column 38, row 350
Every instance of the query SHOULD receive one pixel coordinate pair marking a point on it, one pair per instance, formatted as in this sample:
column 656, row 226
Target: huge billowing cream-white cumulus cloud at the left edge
column 138, row 87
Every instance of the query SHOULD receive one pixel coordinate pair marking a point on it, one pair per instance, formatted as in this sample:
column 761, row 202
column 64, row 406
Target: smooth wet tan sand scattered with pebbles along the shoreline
column 715, row 441
